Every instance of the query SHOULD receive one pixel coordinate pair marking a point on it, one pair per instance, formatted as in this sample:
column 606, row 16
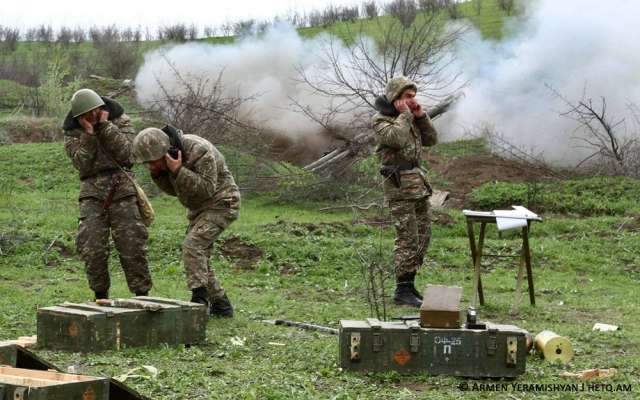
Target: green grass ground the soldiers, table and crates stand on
column 586, row 270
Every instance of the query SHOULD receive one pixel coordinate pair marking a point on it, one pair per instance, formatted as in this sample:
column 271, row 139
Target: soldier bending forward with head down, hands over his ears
column 193, row 170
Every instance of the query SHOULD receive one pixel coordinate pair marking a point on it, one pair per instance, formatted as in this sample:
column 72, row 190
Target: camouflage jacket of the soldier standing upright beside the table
column 399, row 139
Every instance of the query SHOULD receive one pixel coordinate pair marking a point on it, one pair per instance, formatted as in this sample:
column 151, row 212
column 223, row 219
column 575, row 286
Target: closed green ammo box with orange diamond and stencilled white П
column 371, row 345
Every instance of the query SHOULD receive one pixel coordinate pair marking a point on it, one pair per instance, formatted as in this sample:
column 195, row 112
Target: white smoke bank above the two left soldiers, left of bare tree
column 266, row 67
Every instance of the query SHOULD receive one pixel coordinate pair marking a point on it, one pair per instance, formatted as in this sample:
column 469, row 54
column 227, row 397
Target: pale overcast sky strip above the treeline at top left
column 28, row 13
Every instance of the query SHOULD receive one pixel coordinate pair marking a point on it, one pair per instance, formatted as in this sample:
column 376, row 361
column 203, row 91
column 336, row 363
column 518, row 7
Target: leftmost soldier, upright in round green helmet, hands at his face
column 98, row 136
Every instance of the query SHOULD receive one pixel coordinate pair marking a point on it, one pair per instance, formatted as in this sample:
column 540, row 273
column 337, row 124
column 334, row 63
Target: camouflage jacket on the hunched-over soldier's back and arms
column 203, row 182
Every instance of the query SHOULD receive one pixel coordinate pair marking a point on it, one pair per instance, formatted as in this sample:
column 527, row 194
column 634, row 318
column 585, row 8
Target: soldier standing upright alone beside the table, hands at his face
column 402, row 128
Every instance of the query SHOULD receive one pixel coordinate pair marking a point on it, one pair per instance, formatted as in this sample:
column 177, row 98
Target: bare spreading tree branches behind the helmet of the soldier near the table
column 422, row 52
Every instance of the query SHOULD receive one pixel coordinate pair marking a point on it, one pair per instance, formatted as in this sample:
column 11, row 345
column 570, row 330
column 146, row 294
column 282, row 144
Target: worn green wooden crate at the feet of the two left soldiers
column 89, row 327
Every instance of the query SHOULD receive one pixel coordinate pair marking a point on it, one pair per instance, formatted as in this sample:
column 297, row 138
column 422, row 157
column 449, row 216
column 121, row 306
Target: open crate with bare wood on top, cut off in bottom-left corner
column 27, row 384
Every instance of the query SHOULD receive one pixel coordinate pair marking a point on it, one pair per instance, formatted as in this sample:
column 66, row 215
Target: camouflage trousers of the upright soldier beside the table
column 412, row 220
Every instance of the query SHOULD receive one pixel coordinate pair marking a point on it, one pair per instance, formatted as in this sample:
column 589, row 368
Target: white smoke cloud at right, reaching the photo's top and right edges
column 570, row 45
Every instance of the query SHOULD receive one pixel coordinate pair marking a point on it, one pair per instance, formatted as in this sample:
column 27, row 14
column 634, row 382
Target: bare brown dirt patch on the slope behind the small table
column 466, row 173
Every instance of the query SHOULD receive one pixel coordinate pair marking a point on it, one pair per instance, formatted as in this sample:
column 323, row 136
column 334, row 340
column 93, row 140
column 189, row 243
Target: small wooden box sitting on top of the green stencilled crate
column 441, row 307
